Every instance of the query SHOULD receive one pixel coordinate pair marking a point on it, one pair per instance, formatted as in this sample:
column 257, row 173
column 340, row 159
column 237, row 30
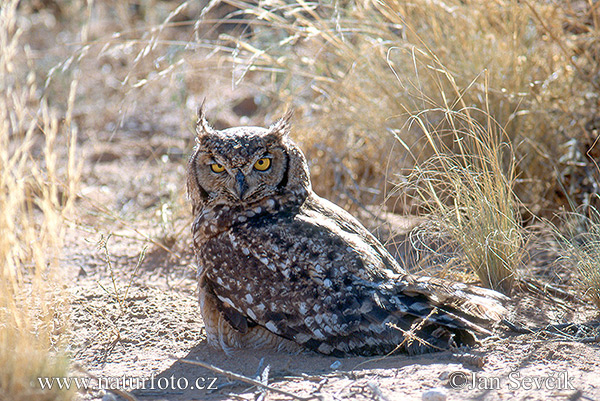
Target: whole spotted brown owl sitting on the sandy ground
column 280, row 267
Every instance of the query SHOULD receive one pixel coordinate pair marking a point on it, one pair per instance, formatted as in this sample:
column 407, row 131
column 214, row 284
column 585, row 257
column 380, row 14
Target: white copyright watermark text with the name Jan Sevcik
column 555, row 380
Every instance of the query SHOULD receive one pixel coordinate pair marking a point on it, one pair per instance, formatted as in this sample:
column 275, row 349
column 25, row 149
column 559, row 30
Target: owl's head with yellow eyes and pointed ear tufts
column 245, row 165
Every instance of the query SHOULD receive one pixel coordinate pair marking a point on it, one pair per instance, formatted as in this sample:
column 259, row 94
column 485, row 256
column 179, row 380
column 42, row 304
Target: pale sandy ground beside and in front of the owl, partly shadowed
column 135, row 337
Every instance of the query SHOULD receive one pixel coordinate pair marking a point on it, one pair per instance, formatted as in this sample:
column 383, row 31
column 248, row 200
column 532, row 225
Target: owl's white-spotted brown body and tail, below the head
column 314, row 275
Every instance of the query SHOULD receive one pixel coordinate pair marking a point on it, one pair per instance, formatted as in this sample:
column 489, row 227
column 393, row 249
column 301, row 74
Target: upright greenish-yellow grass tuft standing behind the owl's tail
column 468, row 194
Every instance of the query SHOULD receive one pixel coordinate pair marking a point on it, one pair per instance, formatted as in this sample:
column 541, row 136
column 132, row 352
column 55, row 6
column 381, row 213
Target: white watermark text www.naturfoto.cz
column 127, row 383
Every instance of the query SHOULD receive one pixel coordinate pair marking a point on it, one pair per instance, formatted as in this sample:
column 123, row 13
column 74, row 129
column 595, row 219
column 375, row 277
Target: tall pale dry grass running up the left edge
column 34, row 192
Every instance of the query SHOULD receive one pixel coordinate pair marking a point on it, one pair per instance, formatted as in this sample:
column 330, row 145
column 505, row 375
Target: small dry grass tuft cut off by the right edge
column 580, row 242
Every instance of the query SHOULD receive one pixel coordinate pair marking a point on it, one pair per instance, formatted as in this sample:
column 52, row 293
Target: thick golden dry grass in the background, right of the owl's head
column 367, row 67
